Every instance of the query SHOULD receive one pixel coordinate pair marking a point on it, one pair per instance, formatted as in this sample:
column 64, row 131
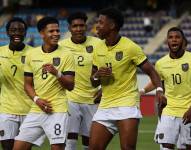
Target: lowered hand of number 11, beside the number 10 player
column 162, row 102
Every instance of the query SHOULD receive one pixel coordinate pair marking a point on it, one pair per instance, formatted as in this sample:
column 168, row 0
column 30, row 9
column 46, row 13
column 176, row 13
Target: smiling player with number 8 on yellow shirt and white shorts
column 49, row 72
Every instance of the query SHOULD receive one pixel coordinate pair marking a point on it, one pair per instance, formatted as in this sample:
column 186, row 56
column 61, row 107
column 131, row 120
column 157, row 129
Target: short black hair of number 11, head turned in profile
column 114, row 14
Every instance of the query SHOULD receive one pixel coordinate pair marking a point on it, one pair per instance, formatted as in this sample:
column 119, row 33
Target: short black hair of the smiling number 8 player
column 42, row 23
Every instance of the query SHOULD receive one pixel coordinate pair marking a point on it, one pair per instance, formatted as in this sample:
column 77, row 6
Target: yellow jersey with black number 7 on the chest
column 13, row 97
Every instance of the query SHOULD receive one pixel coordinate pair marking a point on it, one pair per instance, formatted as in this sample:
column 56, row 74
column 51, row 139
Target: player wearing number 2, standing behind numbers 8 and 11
column 81, row 99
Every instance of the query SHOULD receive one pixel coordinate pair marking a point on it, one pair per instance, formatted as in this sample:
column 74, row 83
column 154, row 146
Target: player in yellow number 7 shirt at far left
column 14, row 103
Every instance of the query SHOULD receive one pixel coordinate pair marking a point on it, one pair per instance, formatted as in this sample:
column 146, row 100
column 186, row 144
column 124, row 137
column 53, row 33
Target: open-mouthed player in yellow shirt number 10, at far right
column 174, row 70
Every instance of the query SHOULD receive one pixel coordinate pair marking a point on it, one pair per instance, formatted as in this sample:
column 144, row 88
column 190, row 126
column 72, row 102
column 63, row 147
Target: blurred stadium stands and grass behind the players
column 146, row 23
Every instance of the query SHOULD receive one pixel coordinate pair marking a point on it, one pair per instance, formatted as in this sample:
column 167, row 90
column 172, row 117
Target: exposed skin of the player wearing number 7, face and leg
column 16, row 34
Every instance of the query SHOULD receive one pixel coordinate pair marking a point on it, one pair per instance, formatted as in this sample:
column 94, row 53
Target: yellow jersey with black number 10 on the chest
column 176, row 74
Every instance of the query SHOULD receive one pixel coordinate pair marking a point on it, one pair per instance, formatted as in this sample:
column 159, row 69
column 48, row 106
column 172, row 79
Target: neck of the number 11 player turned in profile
column 112, row 40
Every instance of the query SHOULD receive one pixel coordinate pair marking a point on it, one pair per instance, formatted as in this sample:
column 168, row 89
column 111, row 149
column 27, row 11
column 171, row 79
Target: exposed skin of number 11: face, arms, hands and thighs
column 128, row 128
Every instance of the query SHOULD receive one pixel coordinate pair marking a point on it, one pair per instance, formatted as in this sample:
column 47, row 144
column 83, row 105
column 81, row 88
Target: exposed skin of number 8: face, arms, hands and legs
column 50, row 35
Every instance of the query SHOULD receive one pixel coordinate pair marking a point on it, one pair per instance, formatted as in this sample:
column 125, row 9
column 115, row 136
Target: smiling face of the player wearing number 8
column 51, row 34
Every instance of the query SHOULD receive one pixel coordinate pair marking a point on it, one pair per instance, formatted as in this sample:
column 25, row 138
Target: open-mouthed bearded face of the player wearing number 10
column 175, row 41
